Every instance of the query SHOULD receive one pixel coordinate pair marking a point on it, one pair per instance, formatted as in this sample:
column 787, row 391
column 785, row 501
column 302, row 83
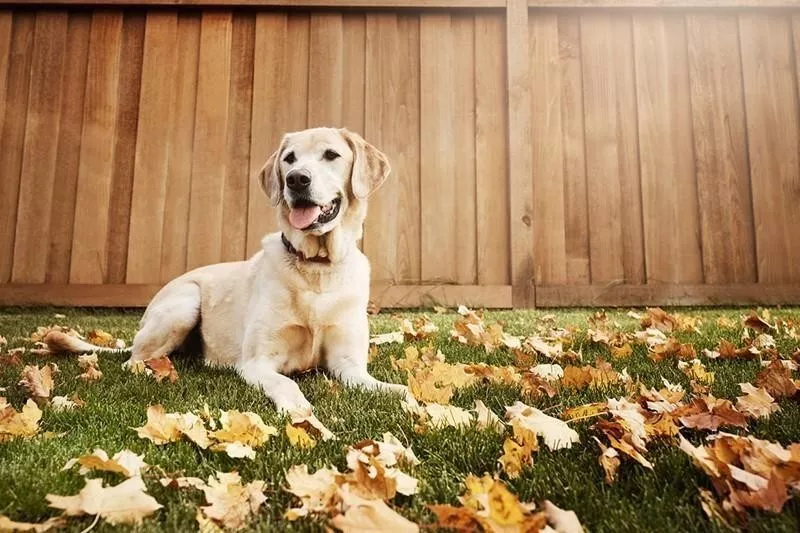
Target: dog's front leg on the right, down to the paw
column 347, row 351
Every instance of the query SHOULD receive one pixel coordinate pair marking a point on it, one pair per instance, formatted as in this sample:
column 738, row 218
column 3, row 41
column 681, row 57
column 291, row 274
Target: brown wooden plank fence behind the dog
column 558, row 153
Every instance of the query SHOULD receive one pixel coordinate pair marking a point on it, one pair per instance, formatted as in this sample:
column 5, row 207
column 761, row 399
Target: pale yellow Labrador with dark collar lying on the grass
column 300, row 302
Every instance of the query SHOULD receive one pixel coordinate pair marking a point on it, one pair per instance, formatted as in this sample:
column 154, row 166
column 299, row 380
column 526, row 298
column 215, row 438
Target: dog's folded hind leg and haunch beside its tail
column 169, row 318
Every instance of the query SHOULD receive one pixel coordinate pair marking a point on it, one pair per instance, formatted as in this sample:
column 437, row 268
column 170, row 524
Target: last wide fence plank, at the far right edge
column 770, row 90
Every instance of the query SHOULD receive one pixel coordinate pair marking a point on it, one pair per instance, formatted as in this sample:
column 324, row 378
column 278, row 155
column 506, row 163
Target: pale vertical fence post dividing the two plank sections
column 519, row 153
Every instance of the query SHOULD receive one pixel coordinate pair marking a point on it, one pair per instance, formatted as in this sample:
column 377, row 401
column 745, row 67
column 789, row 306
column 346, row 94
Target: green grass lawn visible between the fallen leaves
column 665, row 499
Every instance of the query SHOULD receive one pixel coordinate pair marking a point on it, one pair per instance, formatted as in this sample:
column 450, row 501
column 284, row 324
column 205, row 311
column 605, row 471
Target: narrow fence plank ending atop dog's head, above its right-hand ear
column 353, row 77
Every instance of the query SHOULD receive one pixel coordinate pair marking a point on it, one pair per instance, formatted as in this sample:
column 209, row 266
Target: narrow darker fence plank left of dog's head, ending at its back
column 237, row 179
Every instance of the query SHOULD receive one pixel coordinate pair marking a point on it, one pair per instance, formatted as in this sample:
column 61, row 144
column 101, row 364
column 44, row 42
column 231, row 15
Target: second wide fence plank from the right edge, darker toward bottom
column 720, row 146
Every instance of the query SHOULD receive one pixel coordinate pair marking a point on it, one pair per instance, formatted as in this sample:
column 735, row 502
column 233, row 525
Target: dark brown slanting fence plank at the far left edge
column 12, row 135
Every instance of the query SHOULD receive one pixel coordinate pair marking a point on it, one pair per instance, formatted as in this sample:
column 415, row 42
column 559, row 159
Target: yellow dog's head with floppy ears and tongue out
column 317, row 175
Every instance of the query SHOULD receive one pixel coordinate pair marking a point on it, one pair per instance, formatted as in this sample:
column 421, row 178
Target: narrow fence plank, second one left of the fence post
column 464, row 191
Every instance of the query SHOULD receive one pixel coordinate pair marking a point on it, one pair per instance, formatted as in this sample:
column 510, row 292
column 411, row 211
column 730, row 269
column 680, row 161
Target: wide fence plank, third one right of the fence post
column 612, row 151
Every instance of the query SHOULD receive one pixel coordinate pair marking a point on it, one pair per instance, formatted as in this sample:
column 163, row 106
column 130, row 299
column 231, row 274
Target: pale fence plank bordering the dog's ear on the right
column 381, row 93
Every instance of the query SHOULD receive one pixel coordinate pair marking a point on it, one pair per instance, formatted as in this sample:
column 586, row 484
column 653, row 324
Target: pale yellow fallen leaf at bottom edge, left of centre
column 231, row 504
